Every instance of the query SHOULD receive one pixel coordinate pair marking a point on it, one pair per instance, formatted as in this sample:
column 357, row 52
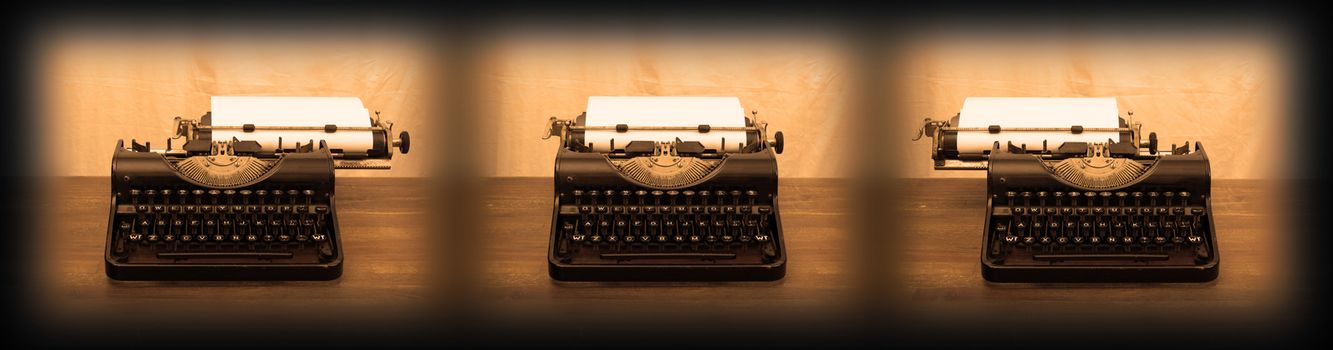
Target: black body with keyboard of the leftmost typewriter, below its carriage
column 169, row 227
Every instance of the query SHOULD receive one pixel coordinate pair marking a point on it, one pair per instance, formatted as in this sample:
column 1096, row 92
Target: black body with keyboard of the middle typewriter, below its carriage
column 609, row 227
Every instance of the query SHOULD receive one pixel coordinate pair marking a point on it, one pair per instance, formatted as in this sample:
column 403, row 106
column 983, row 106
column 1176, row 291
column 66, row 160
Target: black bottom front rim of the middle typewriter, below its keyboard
column 666, row 273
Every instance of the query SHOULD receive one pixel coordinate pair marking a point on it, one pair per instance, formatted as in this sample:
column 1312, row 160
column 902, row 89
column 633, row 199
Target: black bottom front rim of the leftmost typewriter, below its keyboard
column 225, row 272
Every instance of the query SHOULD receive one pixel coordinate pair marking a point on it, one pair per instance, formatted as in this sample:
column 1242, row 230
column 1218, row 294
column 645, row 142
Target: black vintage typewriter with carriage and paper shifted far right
column 247, row 195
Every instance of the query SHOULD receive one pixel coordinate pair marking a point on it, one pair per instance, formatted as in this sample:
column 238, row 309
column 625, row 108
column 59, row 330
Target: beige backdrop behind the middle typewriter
column 796, row 83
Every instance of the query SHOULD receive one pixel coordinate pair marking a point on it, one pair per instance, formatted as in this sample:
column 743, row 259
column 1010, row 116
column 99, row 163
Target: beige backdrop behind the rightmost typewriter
column 1224, row 90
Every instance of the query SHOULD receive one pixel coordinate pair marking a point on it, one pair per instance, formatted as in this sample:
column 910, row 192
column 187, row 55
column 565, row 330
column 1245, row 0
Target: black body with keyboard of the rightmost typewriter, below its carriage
column 1044, row 230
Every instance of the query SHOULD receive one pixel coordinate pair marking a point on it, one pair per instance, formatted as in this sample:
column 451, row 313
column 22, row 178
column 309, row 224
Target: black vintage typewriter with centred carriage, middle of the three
column 666, row 190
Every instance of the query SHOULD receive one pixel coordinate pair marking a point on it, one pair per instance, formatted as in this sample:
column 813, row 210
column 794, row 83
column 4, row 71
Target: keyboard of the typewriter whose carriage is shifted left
column 1099, row 228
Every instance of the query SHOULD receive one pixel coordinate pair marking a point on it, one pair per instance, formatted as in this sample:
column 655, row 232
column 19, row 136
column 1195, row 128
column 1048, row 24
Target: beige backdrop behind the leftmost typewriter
column 103, row 87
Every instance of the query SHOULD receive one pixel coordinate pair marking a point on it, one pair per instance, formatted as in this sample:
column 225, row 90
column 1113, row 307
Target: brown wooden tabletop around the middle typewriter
column 518, row 230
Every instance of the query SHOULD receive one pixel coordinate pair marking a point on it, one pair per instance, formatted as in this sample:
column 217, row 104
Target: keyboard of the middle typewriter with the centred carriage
column 666, row 227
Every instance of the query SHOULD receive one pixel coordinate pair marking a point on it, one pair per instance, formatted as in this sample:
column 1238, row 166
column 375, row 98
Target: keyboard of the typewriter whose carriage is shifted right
column 211, row 226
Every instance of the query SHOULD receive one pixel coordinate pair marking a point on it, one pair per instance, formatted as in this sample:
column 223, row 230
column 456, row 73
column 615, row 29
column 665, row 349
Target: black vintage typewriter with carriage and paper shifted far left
column 1075, row 194
